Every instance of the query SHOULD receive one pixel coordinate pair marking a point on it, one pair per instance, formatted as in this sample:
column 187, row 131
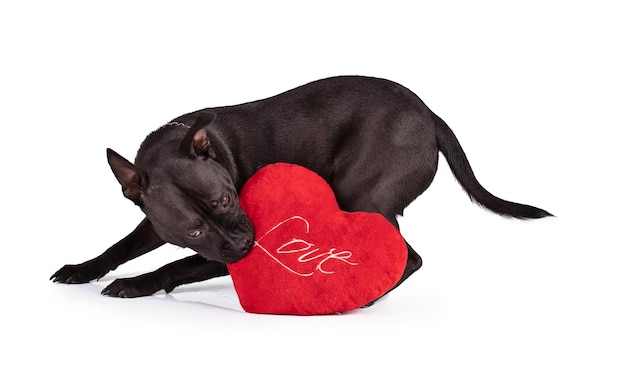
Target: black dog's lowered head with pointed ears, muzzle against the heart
column 188, row 196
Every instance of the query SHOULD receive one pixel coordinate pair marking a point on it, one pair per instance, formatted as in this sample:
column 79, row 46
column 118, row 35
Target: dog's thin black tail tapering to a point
column 452, row 151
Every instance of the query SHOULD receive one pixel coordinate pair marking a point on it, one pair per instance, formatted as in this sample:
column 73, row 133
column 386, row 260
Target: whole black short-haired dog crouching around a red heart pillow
column 374, row 141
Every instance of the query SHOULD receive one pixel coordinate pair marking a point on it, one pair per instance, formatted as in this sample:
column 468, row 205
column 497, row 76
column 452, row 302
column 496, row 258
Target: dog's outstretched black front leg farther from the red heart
column 142, row 240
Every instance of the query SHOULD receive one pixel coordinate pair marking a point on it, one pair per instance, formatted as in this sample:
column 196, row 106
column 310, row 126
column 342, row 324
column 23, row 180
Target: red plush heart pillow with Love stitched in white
column 309, row 256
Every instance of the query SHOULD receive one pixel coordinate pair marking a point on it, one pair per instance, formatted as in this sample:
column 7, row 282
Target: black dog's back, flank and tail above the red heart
column 372, row 139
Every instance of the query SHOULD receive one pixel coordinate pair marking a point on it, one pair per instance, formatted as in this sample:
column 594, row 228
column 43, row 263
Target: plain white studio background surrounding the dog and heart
column 534, row 92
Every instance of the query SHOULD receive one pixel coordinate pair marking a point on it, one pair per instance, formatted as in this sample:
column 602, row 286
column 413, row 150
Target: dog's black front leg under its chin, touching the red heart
column 187, row 270
